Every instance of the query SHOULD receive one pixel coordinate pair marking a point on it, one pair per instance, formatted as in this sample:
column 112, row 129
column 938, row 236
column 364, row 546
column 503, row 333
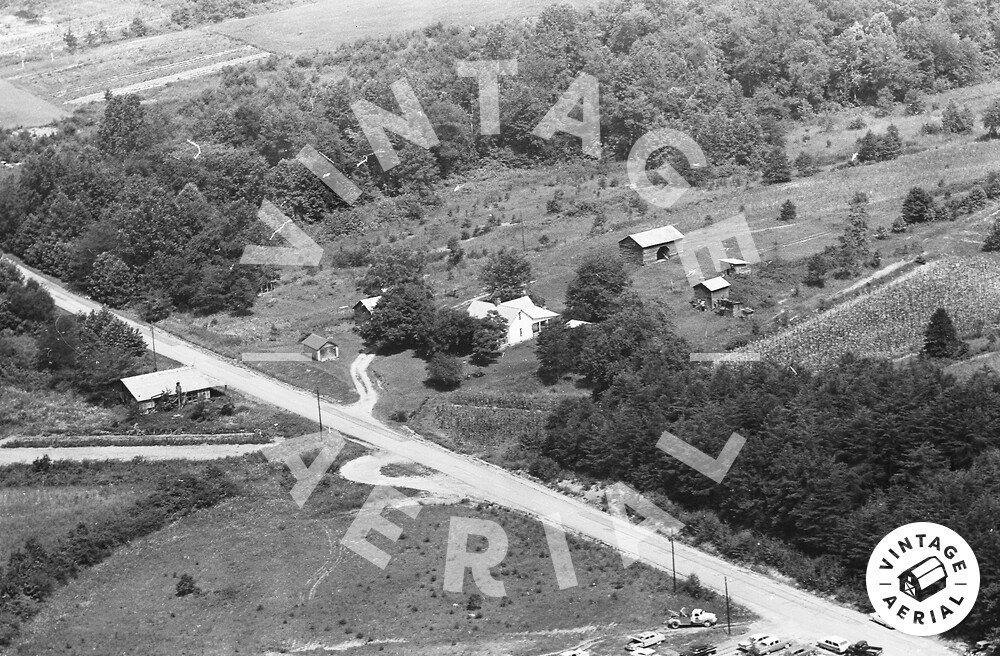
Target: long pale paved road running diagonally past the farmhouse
column 789, row 611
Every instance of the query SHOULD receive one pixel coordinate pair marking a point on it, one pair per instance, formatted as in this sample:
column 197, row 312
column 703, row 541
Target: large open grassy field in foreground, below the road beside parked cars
column 293, row 587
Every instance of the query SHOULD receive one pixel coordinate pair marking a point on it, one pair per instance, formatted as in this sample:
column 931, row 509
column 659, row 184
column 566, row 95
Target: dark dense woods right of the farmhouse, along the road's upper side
column 832, row 462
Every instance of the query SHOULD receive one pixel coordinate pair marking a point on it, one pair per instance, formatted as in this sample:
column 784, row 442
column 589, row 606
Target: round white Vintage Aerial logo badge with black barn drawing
column 923, row 579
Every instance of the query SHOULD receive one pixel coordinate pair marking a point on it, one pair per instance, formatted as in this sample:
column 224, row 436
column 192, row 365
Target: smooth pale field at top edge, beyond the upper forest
column 328, row 24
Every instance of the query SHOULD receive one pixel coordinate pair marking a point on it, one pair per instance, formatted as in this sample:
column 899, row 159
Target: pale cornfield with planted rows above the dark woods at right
column 889, row 322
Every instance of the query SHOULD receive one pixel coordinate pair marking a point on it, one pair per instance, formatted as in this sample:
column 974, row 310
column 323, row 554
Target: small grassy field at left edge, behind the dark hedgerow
column 49, row 512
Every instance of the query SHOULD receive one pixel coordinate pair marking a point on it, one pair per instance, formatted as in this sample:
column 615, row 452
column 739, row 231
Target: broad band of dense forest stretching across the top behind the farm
column 122, row 208
